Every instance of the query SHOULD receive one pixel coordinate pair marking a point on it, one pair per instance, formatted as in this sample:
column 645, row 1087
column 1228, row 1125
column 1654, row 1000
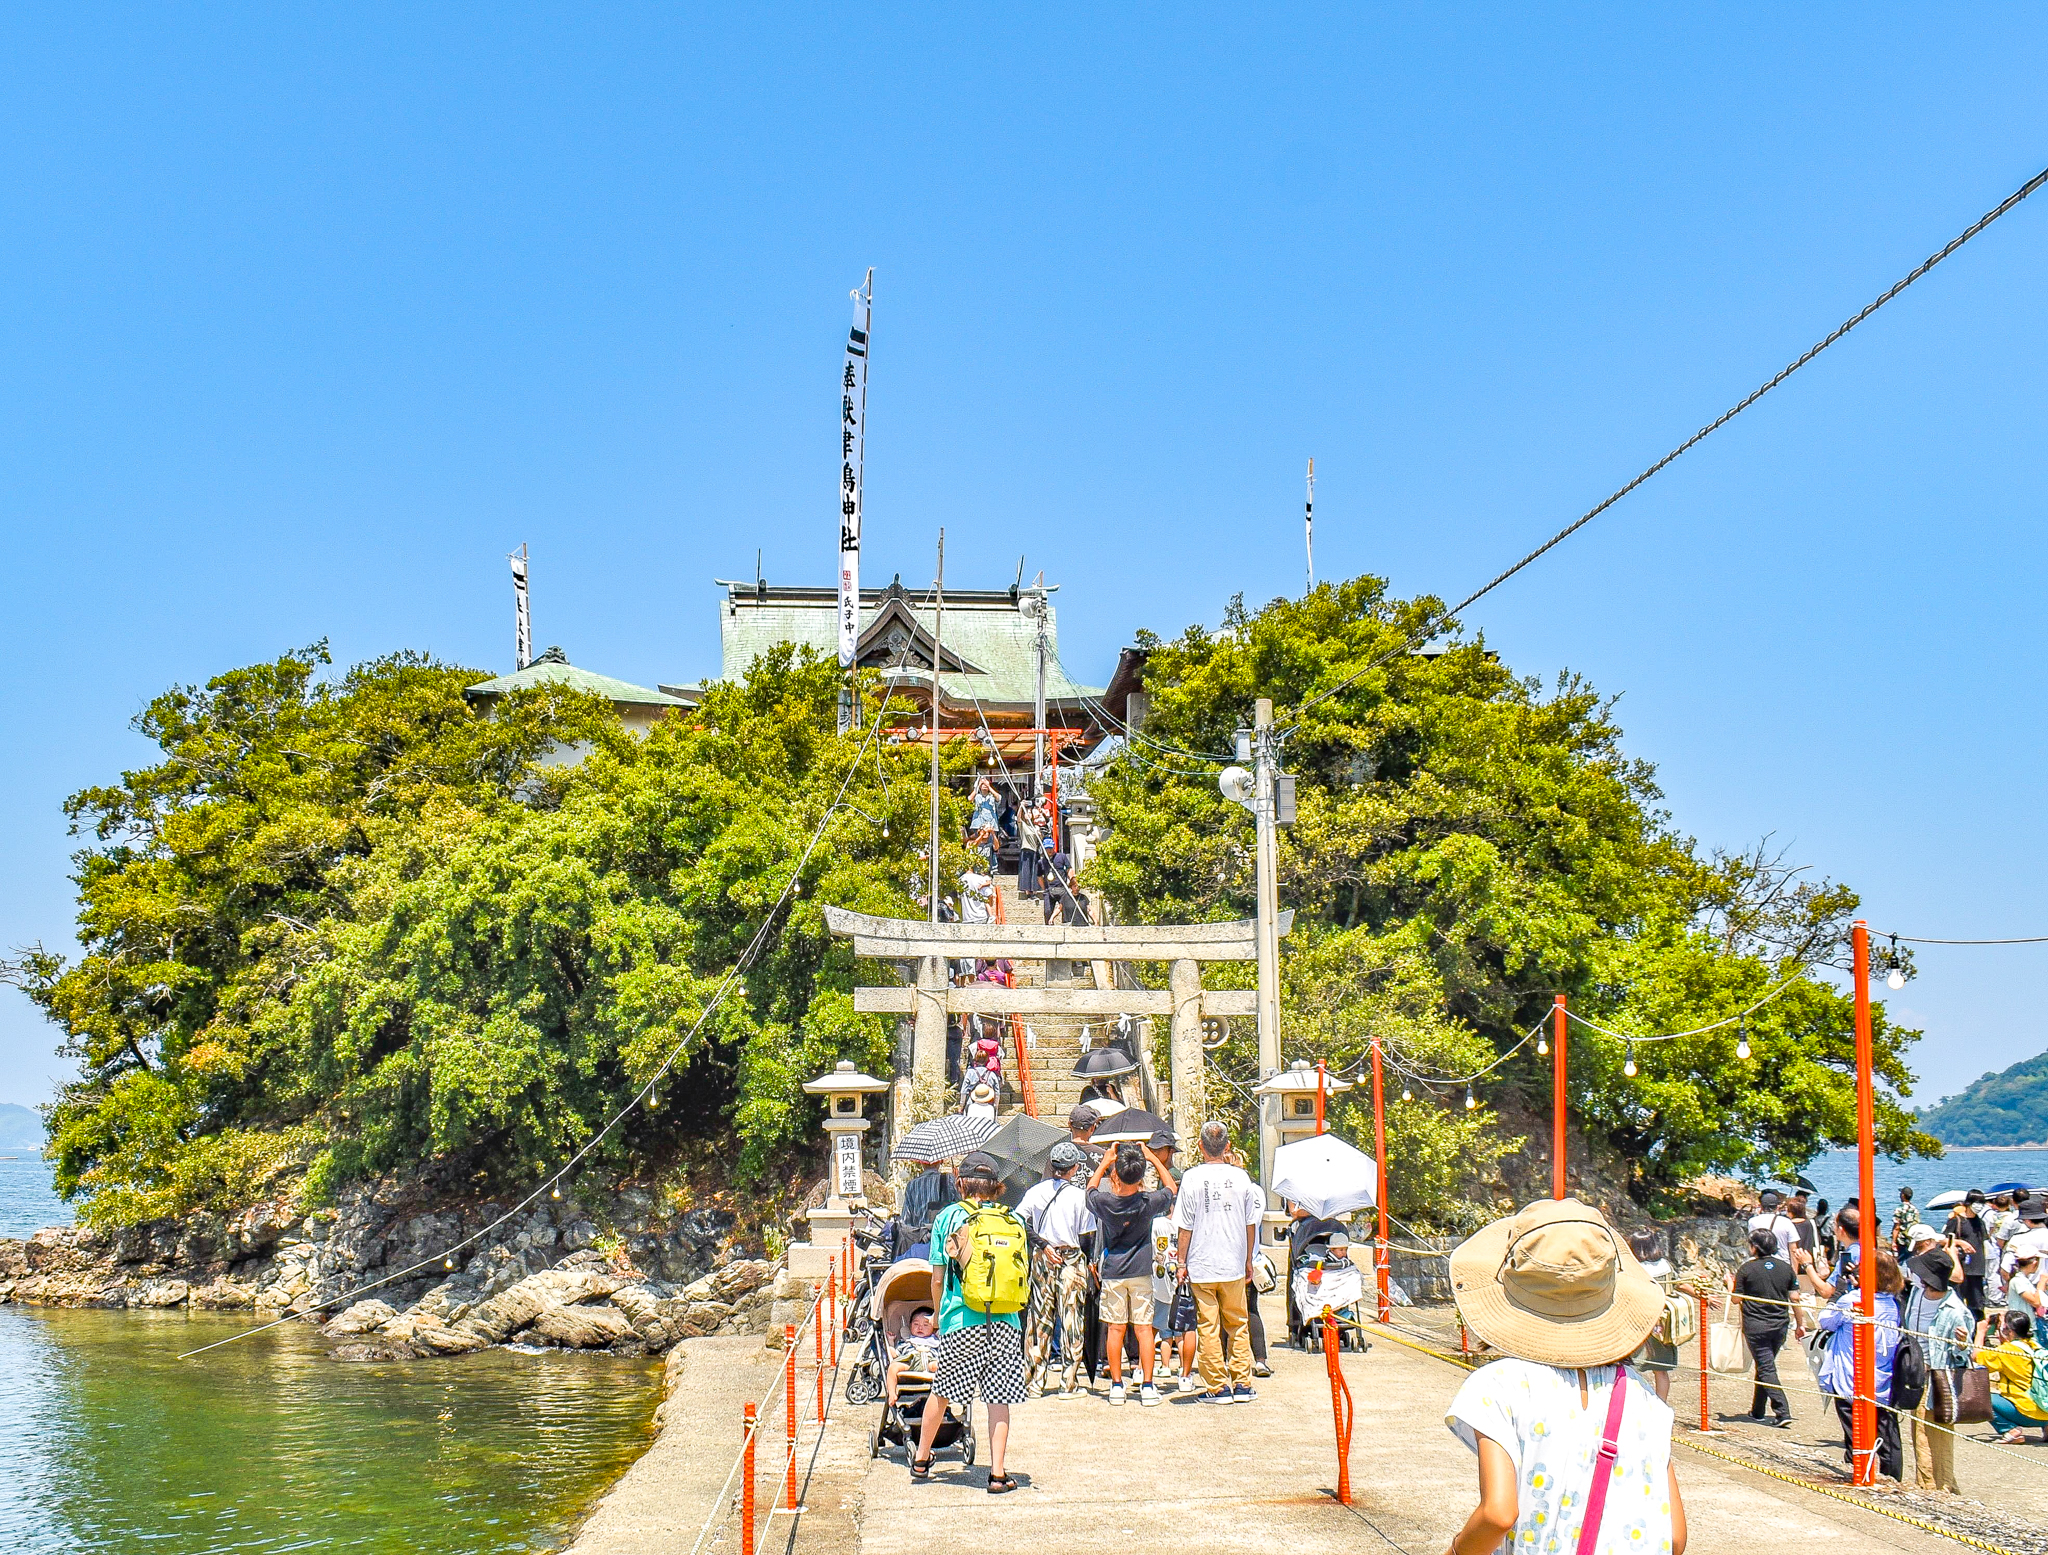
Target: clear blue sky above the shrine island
column 310, row 319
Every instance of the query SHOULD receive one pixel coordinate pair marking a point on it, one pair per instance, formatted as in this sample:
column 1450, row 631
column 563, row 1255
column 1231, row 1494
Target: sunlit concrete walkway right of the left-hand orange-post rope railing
column 1254, row 1478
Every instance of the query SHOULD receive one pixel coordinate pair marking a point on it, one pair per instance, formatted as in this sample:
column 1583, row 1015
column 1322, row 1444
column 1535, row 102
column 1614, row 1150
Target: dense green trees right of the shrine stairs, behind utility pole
column 1467, row 847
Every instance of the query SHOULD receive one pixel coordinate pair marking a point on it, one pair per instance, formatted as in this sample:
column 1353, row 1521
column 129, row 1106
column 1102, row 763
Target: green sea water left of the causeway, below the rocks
column 269, row 1445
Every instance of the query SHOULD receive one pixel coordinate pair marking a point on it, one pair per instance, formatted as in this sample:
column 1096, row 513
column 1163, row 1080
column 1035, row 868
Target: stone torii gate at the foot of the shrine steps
column 933, row 999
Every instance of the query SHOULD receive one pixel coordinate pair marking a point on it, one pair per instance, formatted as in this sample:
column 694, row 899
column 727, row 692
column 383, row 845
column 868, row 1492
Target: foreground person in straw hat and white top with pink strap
column 1558, row 1292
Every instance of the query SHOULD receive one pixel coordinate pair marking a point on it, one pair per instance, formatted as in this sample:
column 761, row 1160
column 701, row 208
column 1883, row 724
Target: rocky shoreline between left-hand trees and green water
column 546, row 1277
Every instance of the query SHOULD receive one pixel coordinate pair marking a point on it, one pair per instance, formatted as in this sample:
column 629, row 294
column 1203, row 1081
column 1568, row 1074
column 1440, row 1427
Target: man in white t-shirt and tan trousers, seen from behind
column 1218, row 1218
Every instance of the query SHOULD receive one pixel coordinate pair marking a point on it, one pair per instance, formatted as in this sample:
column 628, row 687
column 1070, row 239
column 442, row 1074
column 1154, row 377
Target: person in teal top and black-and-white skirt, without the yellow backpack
column 978, row 1351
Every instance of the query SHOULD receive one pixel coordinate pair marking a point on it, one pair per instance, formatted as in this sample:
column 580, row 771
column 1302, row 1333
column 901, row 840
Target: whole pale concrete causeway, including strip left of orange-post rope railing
column 1175, row 1478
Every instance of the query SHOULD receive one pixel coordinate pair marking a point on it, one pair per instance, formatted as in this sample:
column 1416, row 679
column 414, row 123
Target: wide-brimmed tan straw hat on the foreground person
column 1555, row 1284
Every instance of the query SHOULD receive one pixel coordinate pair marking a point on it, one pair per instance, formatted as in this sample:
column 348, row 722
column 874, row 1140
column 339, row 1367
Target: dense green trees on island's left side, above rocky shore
column 359, row 925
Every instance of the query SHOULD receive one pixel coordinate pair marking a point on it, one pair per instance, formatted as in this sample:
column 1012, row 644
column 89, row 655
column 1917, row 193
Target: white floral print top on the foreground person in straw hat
column 1553, row 1441
